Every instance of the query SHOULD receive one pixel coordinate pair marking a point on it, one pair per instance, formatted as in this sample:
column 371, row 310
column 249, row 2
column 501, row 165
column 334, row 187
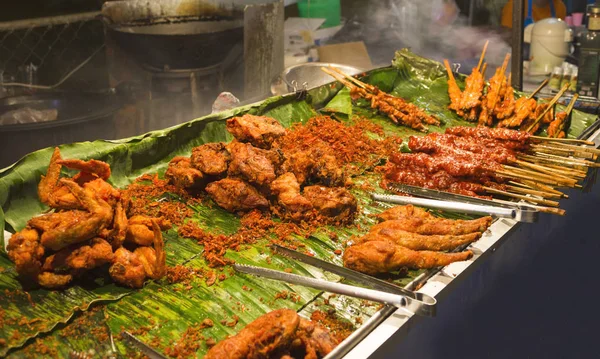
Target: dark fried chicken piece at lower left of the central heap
column 236, row 195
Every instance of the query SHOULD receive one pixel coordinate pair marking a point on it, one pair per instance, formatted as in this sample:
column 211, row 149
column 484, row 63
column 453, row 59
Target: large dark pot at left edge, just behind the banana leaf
column 81, row 117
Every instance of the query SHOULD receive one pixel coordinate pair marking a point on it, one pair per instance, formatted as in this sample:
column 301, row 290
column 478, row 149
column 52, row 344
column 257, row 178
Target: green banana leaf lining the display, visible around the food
column 162, row 313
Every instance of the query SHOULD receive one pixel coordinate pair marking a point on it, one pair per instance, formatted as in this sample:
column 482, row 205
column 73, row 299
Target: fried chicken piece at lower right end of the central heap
column 335, row 202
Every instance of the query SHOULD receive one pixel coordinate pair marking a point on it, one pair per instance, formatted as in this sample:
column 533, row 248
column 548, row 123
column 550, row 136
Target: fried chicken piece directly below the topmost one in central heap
column 251, row 163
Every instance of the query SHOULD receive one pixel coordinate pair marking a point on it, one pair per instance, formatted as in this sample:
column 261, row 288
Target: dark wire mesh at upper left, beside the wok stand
column 46, row 50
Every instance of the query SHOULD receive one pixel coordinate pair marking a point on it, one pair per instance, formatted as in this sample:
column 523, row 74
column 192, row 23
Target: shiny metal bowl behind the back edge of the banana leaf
column 307, row 76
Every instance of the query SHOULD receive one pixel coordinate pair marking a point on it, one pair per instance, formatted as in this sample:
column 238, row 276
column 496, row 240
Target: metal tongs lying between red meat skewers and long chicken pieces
column 520, row 212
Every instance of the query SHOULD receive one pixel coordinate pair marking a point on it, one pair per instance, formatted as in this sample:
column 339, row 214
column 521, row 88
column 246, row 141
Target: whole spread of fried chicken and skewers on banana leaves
column 140, row 236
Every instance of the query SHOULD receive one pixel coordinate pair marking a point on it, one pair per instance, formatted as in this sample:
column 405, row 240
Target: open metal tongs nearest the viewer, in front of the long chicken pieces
column 382, row 292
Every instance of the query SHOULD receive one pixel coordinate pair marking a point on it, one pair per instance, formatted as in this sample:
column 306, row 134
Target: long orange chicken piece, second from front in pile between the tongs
column 418, row 242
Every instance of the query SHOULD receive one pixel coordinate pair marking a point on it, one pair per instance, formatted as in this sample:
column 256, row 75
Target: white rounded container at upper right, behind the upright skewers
column 550, row 41
